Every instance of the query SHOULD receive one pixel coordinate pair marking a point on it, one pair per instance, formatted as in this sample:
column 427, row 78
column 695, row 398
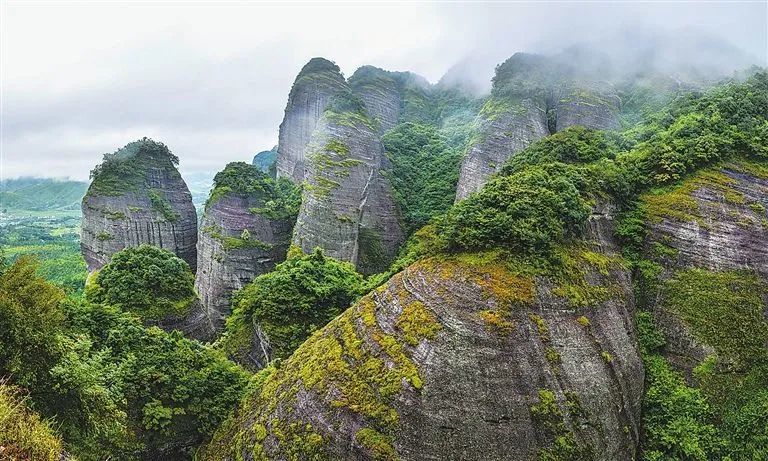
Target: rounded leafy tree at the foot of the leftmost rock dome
column 146, row 280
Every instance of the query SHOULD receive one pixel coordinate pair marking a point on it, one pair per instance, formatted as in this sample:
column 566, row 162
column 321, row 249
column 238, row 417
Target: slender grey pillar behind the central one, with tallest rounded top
column 317, row 82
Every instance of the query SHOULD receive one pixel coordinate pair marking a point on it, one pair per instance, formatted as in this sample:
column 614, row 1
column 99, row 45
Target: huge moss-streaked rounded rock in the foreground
column 458, row 358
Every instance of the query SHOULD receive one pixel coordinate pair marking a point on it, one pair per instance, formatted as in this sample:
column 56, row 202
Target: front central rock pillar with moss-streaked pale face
column 347, row 207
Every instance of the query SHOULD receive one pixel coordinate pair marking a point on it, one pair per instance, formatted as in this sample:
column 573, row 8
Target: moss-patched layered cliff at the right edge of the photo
column 705, row 235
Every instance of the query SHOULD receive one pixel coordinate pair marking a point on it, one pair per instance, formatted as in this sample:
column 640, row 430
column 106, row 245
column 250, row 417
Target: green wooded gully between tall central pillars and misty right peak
column 424, row 173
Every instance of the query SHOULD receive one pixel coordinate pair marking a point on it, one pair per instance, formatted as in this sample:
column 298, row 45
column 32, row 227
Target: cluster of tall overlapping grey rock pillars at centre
column 329, row 139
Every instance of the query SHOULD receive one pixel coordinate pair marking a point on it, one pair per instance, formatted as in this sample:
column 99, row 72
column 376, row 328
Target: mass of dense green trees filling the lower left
column 115, row 388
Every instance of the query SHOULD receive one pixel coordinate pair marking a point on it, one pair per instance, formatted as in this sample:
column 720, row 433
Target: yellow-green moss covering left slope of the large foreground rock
column 365, row 367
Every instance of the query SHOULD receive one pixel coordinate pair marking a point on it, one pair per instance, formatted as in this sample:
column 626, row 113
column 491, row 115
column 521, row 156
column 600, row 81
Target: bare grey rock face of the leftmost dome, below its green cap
column 158, row 211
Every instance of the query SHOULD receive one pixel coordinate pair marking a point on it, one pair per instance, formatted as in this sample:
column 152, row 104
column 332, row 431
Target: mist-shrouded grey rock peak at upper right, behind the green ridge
column 532, row 97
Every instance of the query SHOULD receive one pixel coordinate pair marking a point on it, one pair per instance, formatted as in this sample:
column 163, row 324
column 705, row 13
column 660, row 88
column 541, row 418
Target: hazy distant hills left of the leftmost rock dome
column 41, row 194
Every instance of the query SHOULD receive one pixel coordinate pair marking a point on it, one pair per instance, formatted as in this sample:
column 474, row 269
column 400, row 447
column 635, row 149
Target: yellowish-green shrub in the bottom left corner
column 23, row 435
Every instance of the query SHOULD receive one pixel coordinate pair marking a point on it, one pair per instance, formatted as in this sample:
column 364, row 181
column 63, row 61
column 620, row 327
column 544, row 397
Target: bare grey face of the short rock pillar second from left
column 227, row 260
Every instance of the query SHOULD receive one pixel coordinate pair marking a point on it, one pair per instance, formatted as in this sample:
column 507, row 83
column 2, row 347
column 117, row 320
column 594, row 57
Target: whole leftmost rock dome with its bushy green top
column 137, row 196
